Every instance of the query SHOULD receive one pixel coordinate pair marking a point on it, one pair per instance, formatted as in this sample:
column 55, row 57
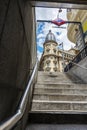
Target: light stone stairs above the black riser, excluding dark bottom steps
column 59, row 93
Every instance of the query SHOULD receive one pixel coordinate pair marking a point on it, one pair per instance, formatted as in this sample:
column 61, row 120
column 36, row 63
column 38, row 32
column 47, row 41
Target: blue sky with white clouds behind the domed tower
column 42, row 28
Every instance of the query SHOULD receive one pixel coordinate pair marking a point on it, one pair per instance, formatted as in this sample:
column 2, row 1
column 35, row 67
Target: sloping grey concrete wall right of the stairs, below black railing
column 80, row 72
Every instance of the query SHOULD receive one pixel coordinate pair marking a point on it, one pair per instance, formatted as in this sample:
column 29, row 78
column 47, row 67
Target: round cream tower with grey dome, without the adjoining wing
column 50, row 56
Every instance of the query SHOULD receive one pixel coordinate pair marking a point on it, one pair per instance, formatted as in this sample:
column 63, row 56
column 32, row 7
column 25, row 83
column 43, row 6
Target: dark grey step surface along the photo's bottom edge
column 39, row 126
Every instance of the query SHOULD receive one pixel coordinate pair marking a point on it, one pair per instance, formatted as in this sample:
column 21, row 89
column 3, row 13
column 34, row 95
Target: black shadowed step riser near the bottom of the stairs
column 58, row 118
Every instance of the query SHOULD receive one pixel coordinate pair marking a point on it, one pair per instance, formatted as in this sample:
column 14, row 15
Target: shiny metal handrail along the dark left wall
column 7, row 125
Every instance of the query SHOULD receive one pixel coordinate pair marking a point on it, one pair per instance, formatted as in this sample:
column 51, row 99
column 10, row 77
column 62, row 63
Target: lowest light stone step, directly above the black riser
column 38, row 105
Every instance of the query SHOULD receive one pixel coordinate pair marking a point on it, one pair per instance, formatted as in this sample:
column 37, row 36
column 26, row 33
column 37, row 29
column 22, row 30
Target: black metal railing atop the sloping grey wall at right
column 77, row 59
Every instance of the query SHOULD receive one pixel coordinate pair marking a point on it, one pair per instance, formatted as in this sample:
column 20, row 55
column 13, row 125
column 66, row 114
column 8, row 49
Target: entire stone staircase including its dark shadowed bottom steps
column 59, row 103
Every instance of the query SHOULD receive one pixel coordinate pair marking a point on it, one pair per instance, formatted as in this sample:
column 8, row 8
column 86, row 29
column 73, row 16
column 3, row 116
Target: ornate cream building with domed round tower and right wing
column 54, row 59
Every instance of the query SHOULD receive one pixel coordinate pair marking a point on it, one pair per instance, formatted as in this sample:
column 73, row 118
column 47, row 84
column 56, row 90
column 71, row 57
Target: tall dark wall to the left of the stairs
column 17, row 47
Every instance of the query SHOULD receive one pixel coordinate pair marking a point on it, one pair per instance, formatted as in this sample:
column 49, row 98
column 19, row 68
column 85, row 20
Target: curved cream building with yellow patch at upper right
column 75, row 30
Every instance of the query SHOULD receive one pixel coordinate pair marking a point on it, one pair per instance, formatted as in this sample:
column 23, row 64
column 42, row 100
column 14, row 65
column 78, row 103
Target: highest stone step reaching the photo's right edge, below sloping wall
column 61, row 86
